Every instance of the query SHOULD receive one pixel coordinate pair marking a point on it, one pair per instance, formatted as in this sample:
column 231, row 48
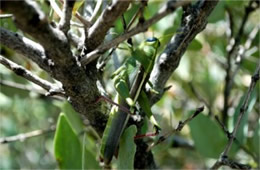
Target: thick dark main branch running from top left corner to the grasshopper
column 78, row 83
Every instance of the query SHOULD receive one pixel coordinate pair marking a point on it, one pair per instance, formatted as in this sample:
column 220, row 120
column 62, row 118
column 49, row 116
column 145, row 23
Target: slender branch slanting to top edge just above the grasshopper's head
column 169, row 8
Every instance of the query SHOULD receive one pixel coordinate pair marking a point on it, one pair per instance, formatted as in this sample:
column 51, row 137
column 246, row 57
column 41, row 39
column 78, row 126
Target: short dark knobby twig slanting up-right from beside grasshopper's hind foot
column 177, row 129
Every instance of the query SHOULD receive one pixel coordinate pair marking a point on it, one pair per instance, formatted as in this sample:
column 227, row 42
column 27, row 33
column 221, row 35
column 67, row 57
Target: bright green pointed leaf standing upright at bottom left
column 67, row 148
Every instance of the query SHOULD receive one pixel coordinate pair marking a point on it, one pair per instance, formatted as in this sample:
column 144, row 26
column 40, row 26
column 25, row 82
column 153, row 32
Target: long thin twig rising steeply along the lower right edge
column 243, row 109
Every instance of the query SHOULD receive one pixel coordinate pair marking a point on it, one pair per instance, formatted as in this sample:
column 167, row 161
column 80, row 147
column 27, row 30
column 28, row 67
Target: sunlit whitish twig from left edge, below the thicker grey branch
column 21, row 71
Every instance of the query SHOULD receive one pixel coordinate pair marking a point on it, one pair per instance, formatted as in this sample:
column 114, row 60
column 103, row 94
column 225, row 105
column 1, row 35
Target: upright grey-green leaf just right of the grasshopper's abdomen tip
column 127, row 149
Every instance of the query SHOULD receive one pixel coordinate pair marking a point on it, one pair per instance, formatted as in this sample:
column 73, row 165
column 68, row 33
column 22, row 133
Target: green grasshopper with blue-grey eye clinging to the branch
column 129, row 82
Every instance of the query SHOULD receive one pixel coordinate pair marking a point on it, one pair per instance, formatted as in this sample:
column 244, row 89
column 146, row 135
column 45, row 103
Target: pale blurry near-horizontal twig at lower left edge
column 24, row 136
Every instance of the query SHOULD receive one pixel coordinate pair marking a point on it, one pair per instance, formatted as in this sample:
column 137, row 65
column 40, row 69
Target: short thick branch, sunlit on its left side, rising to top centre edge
column 97, row 32
